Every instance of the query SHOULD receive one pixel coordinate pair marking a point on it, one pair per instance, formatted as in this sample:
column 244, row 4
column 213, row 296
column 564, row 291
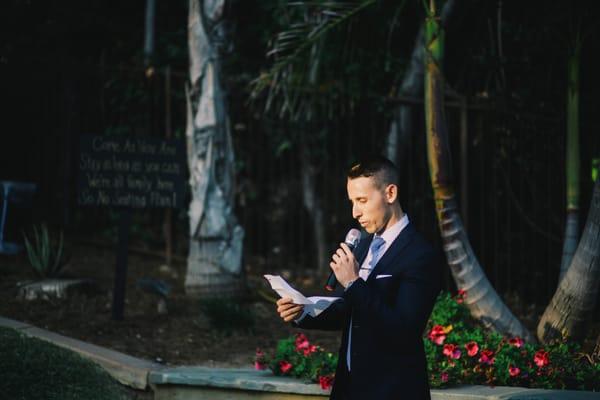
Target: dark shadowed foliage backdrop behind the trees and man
column 69, row 68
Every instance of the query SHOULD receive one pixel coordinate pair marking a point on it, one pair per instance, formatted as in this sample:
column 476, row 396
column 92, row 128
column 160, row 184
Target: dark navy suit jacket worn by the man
column 389, row 315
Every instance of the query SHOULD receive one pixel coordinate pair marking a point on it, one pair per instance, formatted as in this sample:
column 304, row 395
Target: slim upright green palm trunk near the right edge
column 572, row 224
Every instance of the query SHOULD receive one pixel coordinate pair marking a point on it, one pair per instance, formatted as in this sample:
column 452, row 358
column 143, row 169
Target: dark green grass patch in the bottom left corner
column 32, row 369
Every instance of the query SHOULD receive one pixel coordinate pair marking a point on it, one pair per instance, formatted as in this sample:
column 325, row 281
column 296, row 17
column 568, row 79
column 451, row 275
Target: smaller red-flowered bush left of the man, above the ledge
column 296, row 356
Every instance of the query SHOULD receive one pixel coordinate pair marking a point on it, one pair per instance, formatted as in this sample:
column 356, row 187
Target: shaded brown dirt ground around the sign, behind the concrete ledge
column 183, row 336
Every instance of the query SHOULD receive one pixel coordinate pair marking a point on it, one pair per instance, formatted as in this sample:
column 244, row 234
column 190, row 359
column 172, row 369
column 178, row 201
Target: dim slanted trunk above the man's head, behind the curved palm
column 401, row 127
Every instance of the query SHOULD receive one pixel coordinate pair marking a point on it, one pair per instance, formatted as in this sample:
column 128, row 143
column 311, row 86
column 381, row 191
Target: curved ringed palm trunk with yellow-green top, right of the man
column 482, row 300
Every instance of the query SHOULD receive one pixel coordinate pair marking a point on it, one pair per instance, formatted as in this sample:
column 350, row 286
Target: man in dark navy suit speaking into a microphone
column 390, row 286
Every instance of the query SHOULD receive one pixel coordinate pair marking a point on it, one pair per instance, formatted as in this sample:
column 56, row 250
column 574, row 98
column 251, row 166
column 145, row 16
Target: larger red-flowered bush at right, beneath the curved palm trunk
column 460, row 351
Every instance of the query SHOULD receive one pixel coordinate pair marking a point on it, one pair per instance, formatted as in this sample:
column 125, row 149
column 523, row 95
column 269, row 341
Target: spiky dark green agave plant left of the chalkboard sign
column 47, row 260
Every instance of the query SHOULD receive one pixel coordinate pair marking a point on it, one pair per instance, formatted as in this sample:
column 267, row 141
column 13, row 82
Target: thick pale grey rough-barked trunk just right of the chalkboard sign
column 214, row 261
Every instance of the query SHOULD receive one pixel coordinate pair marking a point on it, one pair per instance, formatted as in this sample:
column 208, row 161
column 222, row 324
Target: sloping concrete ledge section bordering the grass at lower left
column 127, row 370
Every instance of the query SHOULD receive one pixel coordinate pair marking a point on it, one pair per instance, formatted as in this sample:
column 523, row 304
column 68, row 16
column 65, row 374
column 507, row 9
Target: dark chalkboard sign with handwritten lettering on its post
column 129, row 172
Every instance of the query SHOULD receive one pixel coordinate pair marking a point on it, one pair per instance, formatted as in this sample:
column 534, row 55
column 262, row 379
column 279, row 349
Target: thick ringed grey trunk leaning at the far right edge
column 575, row 299
